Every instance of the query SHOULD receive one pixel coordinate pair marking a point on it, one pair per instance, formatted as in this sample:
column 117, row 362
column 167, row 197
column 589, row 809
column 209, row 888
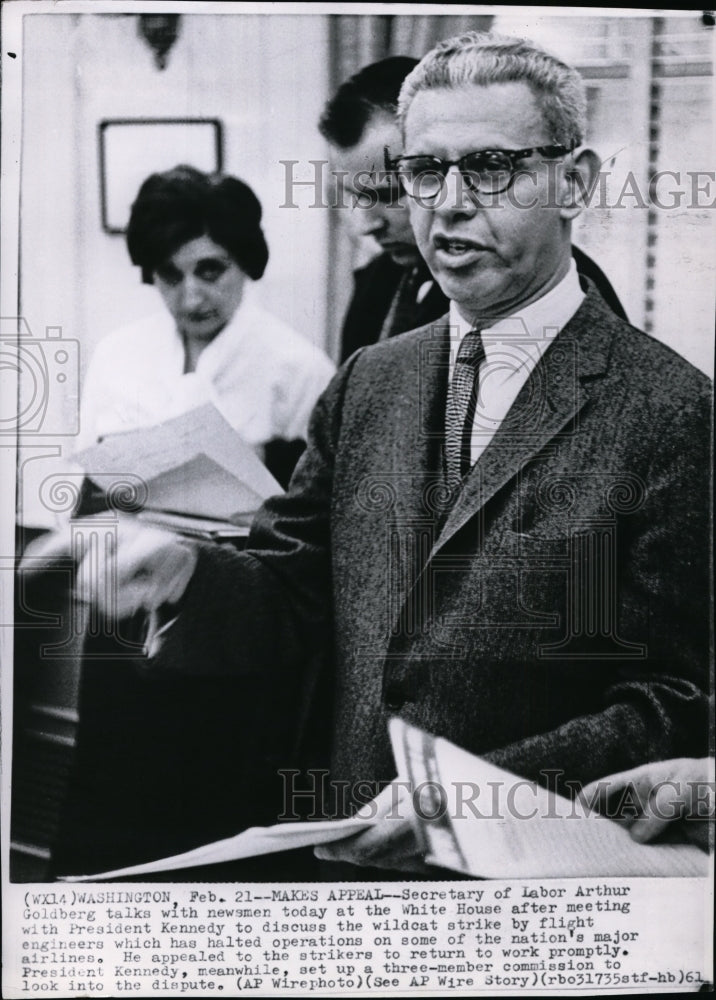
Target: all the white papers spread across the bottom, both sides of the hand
column 468, row 816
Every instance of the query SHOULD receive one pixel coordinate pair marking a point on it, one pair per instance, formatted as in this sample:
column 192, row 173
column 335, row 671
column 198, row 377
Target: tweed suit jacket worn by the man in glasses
column 554, row 617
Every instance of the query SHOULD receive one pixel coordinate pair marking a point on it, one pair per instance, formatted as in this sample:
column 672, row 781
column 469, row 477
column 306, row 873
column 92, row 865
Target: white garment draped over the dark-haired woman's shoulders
column 263, row 376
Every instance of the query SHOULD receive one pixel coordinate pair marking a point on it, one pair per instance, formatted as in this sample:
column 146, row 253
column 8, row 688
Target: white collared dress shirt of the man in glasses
column 513, row 347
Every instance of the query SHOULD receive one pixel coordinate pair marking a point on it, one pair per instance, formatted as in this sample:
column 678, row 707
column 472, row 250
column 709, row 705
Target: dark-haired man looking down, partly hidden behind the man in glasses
column 395, row 291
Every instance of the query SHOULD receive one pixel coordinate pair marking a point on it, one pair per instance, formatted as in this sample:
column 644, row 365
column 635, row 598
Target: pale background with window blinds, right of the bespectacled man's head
column 650, row 109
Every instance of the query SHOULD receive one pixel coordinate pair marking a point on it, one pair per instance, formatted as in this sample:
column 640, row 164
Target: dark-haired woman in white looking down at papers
column 198, row 239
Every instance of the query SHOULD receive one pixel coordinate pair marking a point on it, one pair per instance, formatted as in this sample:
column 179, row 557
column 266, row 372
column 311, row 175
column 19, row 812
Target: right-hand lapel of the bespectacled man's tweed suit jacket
column 551, row 398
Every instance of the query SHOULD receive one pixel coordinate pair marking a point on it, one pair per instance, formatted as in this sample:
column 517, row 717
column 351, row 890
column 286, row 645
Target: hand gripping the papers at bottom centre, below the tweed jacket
column 390, row 843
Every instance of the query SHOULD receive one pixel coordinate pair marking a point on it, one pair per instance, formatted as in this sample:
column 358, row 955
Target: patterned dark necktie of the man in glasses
column 460, row 412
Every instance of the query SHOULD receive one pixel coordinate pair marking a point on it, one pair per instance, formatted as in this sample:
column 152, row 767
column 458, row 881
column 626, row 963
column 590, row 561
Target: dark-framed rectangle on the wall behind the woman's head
column 130, row 149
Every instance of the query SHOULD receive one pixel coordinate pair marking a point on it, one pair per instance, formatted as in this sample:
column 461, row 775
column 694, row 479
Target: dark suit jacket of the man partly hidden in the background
column 377, row 282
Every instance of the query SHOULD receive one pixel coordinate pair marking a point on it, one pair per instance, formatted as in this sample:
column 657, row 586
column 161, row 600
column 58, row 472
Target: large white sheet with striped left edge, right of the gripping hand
column 493, row 824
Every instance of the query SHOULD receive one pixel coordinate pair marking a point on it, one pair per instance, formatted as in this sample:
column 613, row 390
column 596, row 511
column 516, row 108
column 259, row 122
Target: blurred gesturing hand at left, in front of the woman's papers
column 122, row 568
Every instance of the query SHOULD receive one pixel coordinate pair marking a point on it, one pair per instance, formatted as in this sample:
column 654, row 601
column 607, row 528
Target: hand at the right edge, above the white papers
column 657, row 796
